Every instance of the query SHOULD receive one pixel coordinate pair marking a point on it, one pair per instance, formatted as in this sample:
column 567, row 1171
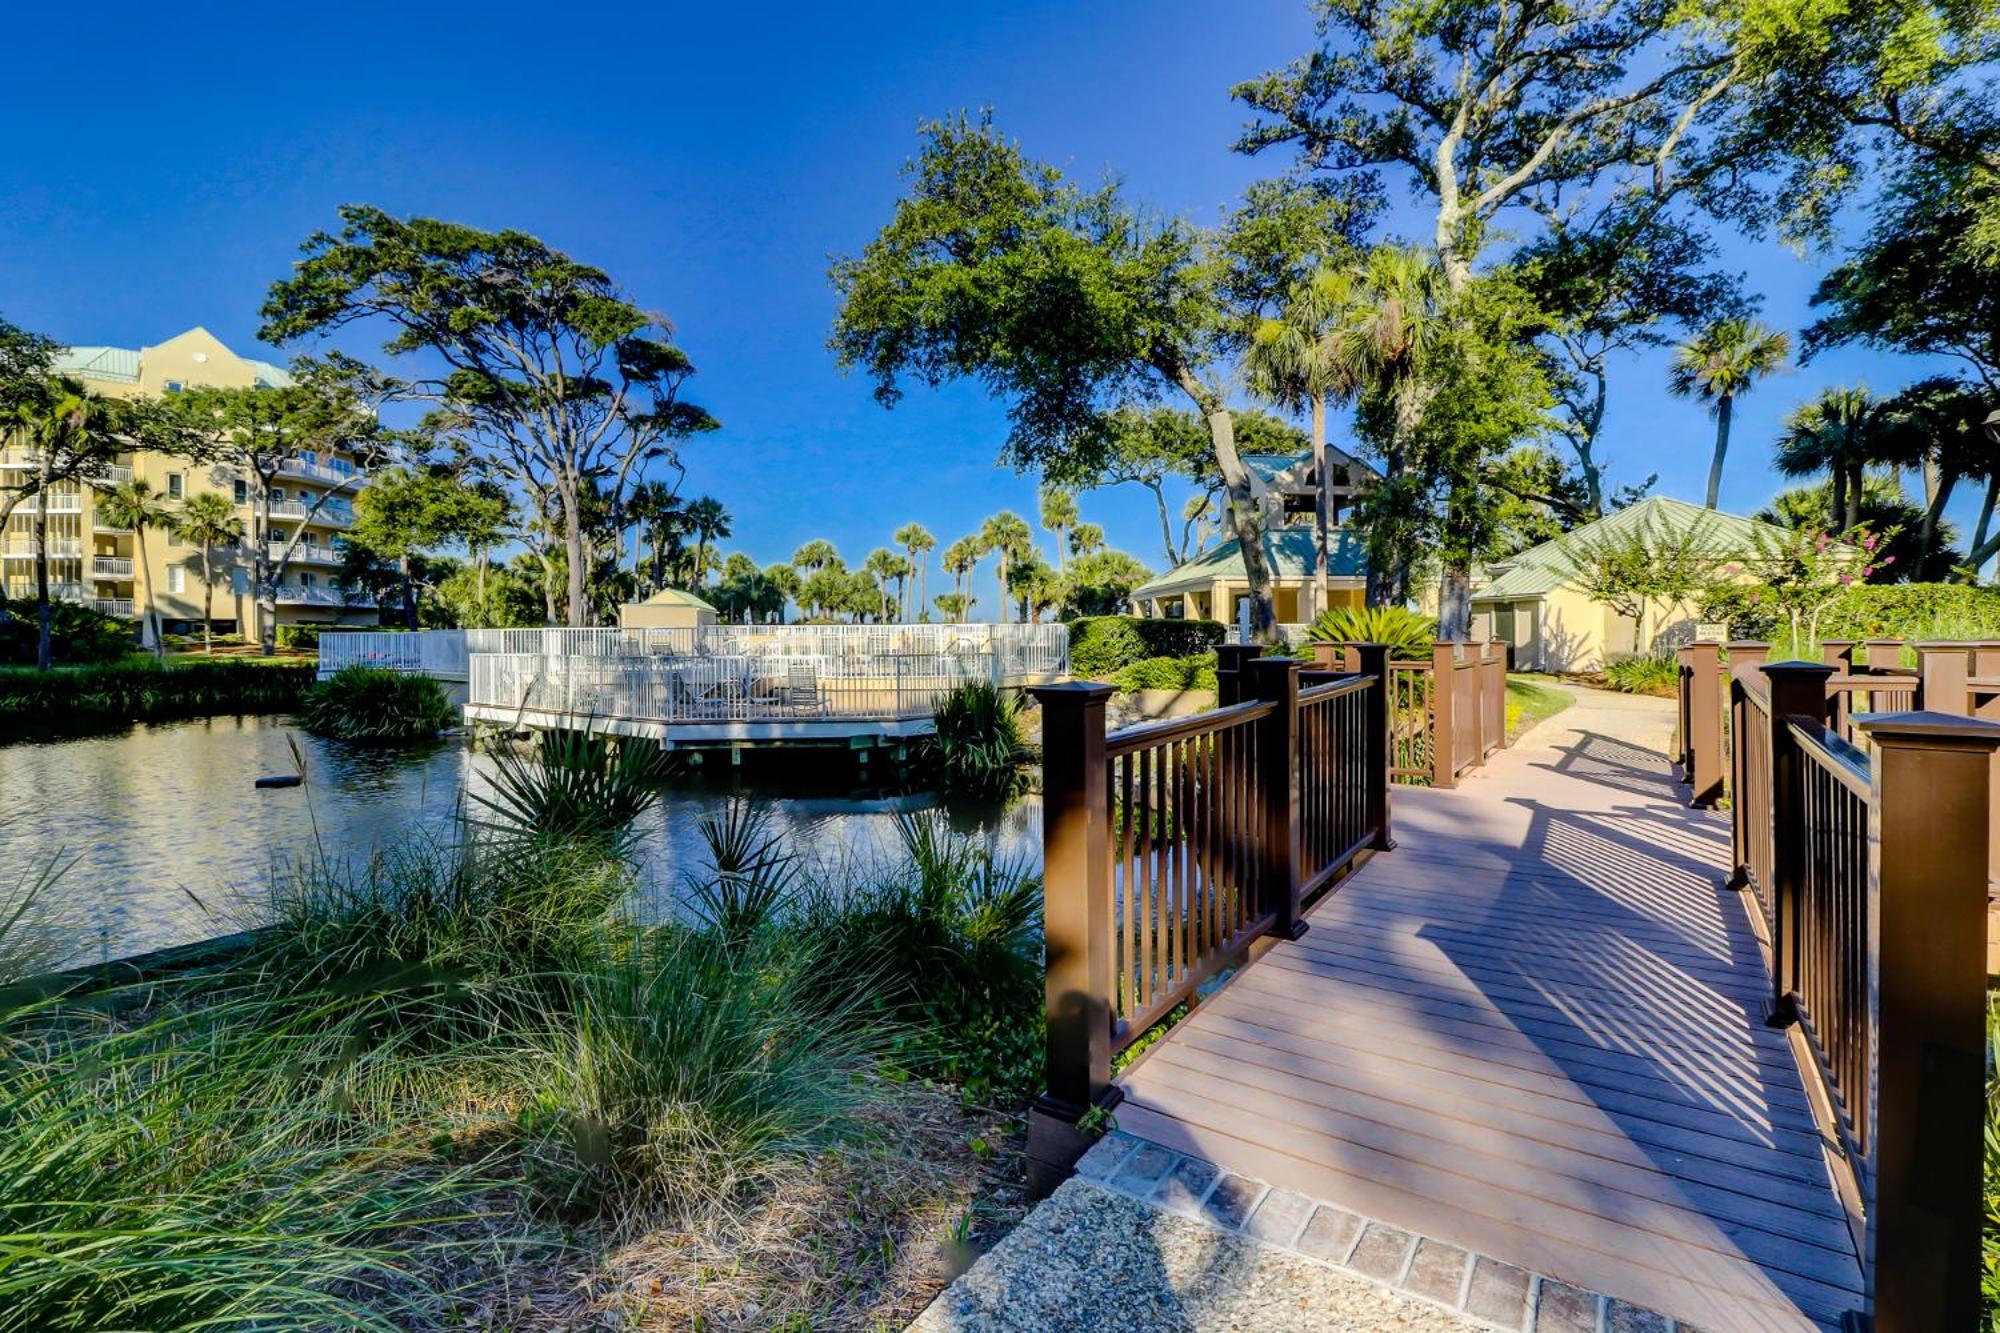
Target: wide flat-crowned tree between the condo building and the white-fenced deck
column 567, row 385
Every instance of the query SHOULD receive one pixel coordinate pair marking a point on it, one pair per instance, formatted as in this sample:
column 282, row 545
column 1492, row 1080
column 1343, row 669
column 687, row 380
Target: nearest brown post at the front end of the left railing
column 1077, row 928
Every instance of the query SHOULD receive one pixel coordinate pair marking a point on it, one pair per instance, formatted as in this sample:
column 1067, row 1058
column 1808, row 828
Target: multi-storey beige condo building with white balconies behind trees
column 103, row 567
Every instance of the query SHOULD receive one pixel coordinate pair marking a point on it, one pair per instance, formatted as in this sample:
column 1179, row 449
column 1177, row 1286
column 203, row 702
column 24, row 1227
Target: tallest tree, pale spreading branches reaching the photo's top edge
column 1503, row 117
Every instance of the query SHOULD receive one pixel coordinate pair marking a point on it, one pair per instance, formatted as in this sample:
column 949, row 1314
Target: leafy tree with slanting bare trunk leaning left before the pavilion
column 1067, row 303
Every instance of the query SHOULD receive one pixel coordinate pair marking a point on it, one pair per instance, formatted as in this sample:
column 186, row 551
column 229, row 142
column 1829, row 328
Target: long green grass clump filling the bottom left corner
column 191, row 1172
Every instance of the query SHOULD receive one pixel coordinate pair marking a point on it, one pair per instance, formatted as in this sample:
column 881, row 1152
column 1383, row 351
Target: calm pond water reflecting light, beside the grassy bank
column 171, row 842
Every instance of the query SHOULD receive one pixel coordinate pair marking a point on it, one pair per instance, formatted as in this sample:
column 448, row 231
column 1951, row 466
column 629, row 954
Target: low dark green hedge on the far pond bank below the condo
column 147, row 692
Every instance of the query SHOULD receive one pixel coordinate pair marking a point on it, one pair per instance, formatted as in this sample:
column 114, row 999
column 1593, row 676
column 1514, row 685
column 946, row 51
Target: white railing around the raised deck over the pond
column 725, row 690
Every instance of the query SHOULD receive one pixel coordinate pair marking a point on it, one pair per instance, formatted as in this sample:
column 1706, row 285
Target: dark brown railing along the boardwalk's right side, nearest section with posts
column 1869, row 870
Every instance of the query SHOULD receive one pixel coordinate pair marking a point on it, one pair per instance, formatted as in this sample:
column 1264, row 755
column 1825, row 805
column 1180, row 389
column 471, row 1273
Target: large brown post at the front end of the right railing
column 1927, row 958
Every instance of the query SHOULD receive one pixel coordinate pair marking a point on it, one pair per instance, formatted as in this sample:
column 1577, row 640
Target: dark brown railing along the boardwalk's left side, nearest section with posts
column 1171, row 848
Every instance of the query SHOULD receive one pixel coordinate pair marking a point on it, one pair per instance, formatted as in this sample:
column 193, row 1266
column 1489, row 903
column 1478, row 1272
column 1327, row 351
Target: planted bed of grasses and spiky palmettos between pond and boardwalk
column 457, row 1086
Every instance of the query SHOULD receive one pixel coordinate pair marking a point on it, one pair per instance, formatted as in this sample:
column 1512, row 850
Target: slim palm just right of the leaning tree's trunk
column 1303, row 357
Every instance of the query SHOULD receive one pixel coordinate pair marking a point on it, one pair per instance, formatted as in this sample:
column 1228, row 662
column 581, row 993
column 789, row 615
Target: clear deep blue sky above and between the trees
column 711, row 159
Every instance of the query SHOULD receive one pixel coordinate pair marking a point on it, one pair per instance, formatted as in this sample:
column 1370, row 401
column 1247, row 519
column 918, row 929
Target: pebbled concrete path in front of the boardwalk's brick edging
column 1103, row 1262
